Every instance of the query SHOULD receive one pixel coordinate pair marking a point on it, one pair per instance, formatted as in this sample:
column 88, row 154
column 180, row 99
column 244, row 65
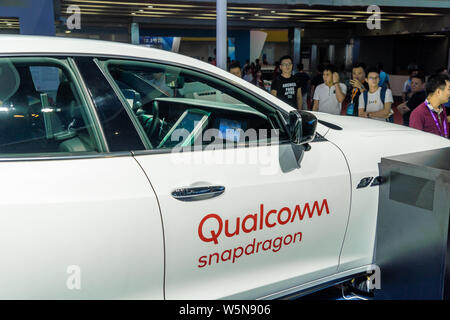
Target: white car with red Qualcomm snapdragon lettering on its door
column 134, row 173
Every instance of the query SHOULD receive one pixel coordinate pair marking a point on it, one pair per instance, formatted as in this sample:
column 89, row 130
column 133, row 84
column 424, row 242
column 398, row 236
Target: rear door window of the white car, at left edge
column 41, row 109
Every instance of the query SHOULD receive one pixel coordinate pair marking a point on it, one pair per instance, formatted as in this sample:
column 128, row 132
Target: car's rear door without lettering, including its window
column 77, row 220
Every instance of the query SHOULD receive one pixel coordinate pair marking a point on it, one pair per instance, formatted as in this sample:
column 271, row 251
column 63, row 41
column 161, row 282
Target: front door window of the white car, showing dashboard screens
column 181, row 107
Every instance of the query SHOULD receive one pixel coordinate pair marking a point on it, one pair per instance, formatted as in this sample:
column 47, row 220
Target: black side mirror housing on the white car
column 302, row 127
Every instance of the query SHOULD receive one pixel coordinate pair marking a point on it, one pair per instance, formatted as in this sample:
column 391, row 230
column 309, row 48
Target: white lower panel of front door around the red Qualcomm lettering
column 247, row 188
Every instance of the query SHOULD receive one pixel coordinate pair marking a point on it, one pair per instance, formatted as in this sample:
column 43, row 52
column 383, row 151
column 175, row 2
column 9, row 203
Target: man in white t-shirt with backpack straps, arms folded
column 375, row 103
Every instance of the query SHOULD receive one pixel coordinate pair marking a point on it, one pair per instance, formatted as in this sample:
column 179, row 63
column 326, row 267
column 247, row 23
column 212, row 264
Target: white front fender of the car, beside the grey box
column 364, row 142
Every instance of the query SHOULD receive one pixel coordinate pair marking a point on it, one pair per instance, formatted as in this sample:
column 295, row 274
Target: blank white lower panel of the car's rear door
column 75, row 229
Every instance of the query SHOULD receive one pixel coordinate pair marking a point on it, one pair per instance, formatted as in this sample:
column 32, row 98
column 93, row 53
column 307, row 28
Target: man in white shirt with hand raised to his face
column 328, row 96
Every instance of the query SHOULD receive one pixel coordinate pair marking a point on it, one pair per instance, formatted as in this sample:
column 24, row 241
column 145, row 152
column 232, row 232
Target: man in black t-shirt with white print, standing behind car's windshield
column 285, row 86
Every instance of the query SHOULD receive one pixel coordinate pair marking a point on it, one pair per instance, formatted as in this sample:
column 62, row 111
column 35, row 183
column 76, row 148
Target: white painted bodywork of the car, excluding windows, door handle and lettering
column 131, row 239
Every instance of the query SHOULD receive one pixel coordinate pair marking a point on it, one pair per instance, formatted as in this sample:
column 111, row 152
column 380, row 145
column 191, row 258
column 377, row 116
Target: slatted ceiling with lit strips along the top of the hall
column 95, row 12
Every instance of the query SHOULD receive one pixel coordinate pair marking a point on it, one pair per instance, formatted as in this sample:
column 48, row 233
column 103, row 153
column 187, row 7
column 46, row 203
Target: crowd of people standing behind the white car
column 425, row 99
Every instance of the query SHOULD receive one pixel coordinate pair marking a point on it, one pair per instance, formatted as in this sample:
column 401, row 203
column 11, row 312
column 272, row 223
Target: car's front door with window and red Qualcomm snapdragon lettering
column 242, row 217
